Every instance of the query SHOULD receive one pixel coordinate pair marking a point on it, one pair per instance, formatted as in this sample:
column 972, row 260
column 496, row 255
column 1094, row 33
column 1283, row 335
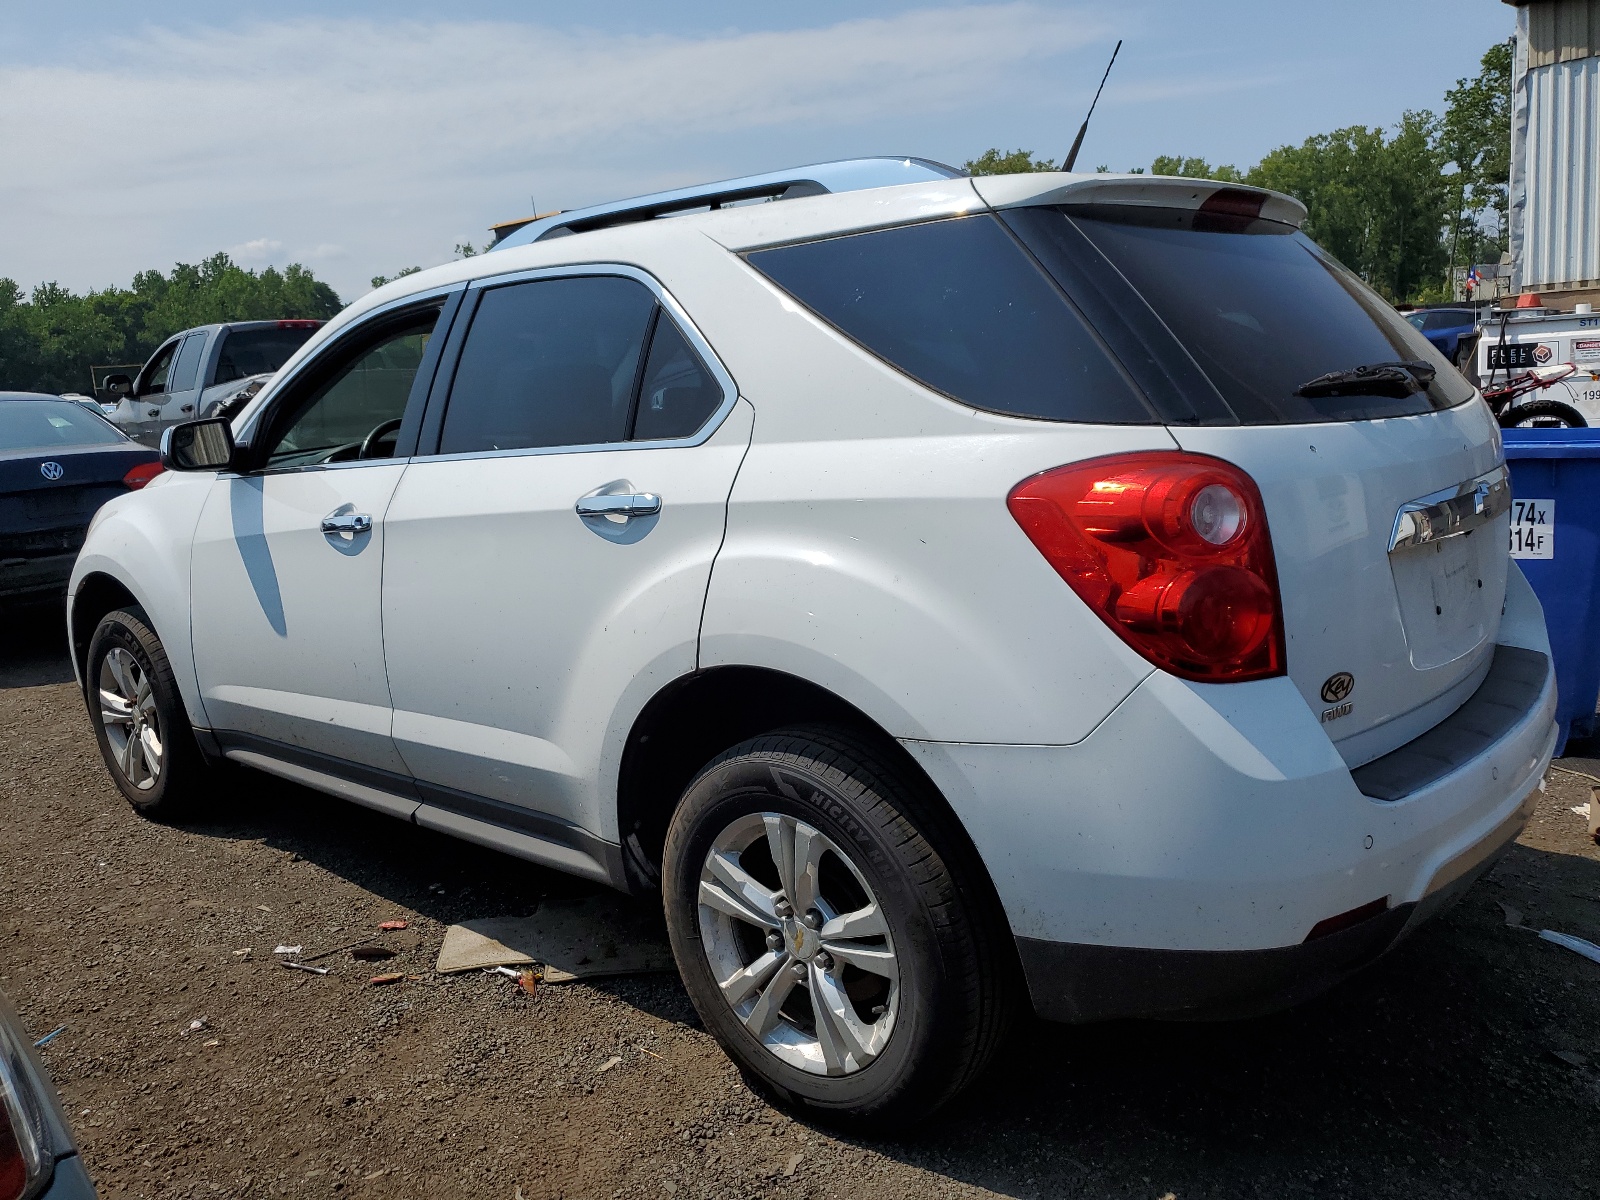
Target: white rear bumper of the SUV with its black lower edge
column 1177, row 862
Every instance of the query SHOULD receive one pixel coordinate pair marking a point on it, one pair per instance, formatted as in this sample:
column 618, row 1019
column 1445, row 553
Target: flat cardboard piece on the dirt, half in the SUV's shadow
column 572, row 940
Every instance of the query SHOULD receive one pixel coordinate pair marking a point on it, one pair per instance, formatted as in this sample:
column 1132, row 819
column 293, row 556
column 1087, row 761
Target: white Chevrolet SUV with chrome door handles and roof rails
column 1060, row 586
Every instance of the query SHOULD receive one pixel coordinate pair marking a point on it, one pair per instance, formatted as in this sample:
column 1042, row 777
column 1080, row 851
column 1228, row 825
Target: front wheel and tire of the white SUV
column 140, row 719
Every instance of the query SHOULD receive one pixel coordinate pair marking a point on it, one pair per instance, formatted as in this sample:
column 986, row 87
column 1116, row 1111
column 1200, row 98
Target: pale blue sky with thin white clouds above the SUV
column 366, row 137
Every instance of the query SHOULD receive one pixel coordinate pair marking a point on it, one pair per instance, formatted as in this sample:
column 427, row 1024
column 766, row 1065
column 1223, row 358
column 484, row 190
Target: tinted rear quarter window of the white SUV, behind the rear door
column 962, row 308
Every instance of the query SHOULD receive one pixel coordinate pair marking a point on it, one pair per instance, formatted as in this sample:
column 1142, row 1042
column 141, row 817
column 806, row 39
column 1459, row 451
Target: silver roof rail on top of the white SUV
column 847, row 175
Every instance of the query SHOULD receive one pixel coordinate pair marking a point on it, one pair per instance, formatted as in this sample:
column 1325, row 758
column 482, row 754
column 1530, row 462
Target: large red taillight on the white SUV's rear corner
column 1172, row 551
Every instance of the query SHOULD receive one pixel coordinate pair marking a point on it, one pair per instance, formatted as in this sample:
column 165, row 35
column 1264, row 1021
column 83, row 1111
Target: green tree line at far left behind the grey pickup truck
column 50, row 338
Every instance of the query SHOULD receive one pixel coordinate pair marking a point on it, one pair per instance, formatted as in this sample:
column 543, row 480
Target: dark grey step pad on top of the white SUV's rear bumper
column 1506, row 697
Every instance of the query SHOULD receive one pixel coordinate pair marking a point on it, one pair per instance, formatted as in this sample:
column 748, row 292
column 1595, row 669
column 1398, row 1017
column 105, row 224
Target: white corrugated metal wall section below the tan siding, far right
column 1562, row 217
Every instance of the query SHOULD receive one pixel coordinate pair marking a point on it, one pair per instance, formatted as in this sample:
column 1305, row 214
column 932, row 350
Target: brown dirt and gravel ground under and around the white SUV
column 1434, row 1074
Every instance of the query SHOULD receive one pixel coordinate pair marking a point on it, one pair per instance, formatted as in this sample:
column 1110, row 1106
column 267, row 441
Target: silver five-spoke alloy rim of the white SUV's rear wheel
column 799, row 945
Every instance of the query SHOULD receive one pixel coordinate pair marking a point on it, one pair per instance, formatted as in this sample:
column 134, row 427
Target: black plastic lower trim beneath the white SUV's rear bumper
column 1074, row 982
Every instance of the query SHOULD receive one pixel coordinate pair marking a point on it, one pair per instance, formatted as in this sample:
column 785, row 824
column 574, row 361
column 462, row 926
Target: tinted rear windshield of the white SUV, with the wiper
column 1266, row 311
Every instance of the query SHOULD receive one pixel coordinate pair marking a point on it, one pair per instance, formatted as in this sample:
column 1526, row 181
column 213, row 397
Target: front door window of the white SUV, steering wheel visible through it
column 356, row 409
